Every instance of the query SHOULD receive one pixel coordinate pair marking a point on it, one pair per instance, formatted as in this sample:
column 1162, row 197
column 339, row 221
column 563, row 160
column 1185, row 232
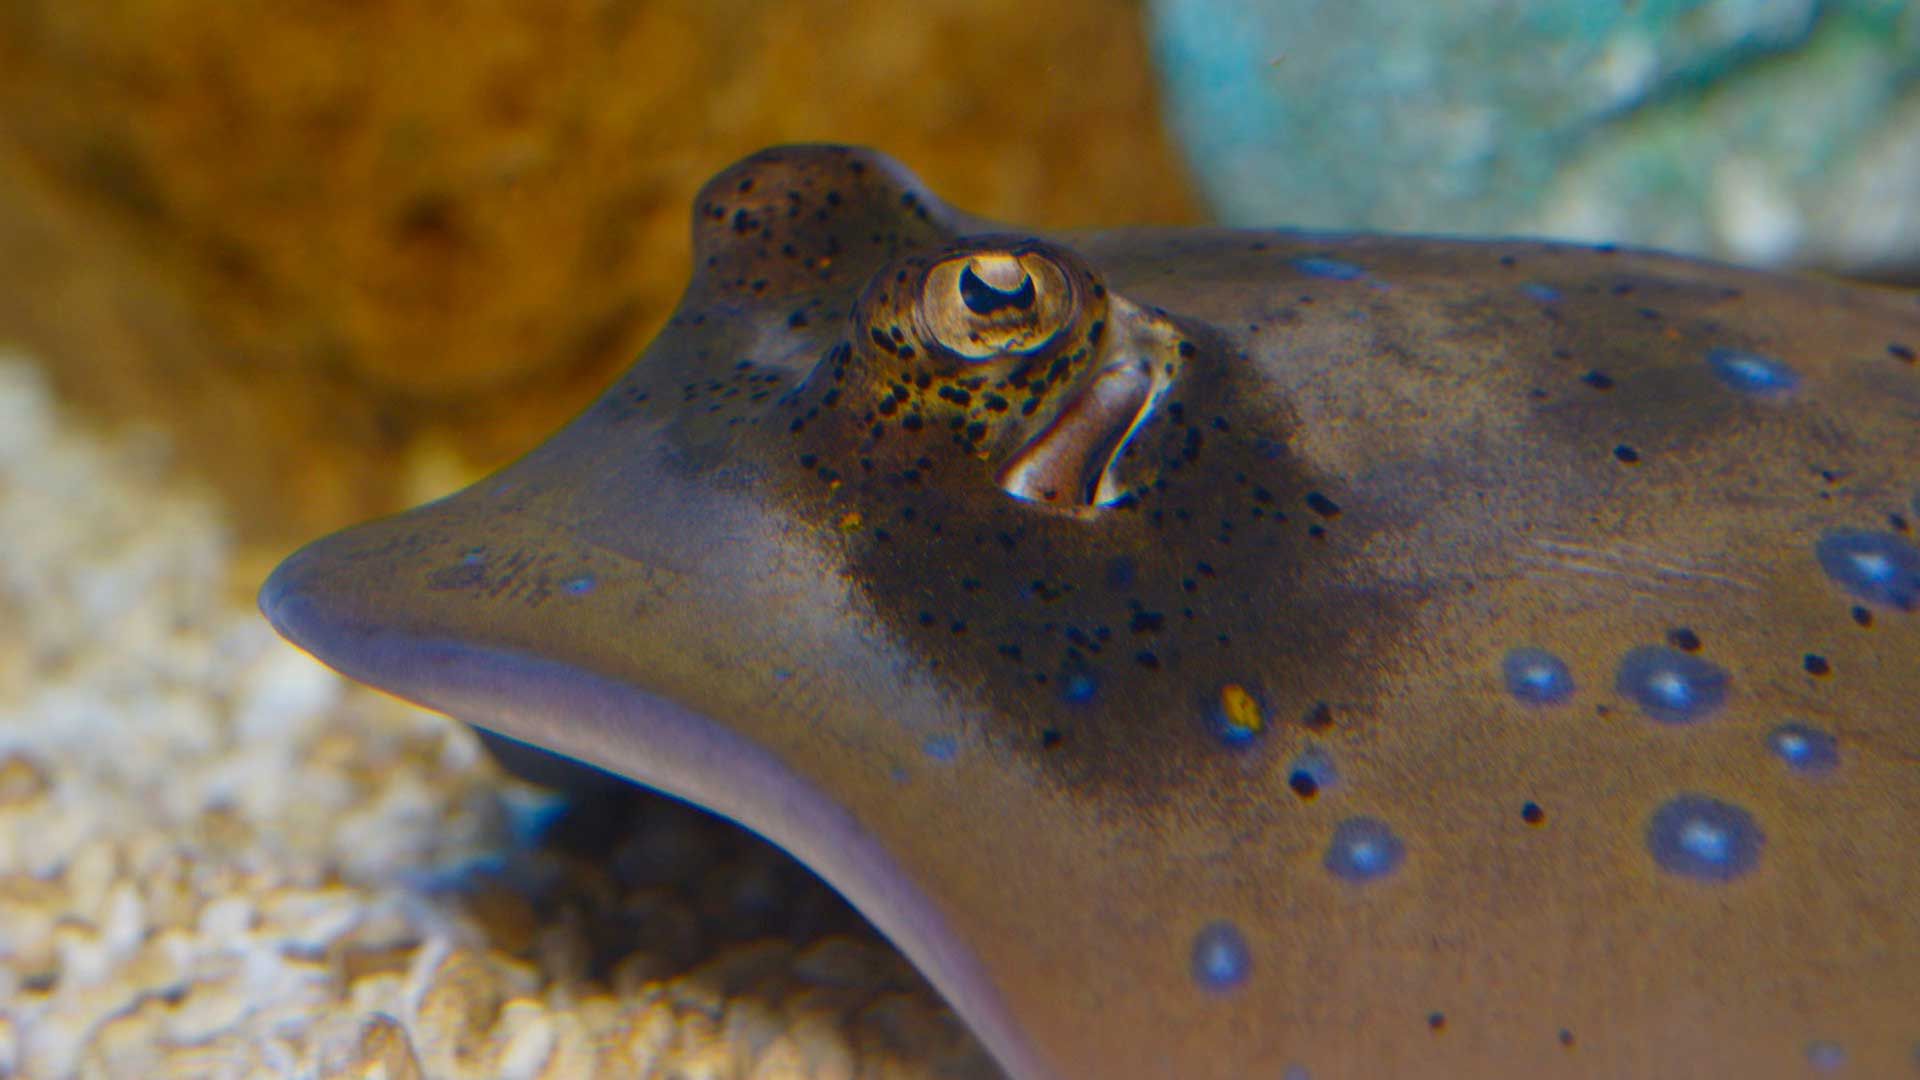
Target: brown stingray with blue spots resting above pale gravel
column 1218, row 652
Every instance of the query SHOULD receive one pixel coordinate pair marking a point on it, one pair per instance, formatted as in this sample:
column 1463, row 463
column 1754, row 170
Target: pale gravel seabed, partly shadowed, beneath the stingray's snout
column 222, row 860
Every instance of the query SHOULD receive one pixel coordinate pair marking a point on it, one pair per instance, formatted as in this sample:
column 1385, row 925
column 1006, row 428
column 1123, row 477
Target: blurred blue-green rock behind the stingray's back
column 1756, row 130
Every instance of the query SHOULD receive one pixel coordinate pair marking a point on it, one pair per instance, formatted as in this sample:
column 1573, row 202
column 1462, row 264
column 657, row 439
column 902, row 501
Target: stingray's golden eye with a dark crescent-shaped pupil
column 988, row 305
